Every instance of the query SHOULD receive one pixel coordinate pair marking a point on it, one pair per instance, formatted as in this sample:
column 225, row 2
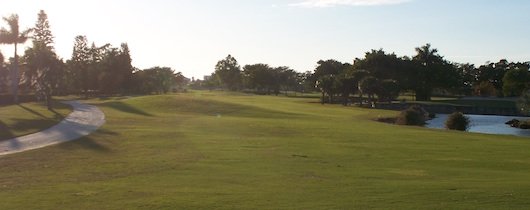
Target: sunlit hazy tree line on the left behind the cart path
column 92, row 70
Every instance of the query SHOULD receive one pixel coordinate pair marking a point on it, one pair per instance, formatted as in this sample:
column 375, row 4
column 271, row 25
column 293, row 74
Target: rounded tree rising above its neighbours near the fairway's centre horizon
column 228, row 73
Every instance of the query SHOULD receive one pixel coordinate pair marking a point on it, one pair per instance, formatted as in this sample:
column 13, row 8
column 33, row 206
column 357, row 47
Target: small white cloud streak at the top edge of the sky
column 332, row 3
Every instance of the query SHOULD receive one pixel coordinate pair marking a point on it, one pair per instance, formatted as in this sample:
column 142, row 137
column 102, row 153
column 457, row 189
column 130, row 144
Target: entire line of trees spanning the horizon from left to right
column 95, row 70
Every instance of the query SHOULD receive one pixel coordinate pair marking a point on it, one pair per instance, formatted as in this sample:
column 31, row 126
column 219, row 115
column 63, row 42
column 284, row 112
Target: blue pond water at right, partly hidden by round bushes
column 490, row 124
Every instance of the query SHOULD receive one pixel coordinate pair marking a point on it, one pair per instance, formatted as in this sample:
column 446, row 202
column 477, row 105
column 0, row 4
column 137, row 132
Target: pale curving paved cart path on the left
column 83, row 120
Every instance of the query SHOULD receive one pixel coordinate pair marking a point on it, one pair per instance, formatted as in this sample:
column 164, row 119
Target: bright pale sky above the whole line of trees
column 191, row 36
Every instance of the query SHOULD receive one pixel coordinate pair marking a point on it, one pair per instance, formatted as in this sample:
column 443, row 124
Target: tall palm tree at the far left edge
column 15, row 37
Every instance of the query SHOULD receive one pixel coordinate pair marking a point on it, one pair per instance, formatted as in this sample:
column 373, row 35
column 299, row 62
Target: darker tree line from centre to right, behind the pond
column 379, row 76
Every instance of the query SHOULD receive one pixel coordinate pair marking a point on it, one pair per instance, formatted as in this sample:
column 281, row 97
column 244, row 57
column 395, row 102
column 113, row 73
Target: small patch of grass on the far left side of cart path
column 26, row 118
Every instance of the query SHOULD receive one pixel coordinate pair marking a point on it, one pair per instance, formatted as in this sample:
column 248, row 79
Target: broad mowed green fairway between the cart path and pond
column 210, row 150
